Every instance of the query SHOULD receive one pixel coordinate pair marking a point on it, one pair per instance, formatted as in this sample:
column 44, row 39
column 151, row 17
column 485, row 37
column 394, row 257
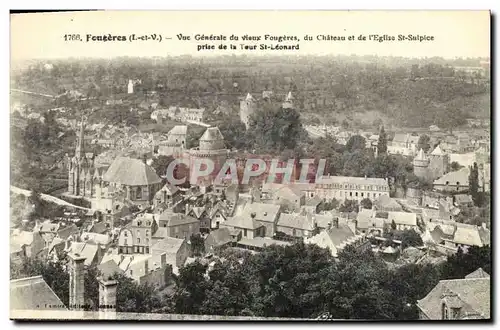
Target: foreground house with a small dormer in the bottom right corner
column 457, row 299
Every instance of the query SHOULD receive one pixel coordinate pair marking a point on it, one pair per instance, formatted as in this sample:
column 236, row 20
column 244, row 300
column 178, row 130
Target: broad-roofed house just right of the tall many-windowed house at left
column 178, row 225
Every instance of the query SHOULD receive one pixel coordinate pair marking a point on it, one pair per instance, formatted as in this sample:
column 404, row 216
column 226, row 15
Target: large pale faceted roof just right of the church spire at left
column 131, row 172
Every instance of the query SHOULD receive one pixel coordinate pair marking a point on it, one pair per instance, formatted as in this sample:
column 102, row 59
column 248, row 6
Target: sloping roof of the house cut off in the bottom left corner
column 33, row 293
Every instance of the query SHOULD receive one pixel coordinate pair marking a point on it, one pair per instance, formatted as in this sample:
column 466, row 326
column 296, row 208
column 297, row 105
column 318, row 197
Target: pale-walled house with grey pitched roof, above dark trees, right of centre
column 296, row 225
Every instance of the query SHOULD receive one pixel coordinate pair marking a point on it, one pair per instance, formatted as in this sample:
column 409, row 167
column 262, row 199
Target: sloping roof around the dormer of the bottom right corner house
column 473, row 295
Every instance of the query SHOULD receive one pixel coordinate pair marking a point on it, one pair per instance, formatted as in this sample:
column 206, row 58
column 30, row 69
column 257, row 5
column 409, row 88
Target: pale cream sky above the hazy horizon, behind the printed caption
column 455, row 33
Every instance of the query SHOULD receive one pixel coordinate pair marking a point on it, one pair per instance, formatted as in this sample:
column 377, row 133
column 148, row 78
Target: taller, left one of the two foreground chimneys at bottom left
column 76, row 281
